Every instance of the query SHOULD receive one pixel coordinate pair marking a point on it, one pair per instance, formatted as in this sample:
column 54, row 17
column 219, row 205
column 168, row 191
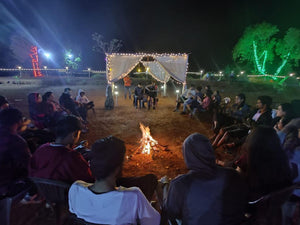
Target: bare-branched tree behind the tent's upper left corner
column 104, row 47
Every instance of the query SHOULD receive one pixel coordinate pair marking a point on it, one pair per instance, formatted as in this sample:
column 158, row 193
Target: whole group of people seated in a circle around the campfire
column 209, row 193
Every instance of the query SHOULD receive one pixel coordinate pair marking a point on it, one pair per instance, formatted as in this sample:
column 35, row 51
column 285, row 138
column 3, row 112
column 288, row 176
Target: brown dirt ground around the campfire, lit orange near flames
column 167, row 127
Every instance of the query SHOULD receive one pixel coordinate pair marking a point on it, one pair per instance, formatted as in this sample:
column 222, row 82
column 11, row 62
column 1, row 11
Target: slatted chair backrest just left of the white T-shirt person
column 52, row 190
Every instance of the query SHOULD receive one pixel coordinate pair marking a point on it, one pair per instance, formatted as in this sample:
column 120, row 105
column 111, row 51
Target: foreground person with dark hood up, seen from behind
column 208, row 193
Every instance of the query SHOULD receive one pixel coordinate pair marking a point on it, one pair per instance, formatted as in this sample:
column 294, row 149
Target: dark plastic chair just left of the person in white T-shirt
column 55, row 193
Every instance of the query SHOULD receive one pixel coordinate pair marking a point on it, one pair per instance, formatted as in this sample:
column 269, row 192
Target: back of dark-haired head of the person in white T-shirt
column 107, row 155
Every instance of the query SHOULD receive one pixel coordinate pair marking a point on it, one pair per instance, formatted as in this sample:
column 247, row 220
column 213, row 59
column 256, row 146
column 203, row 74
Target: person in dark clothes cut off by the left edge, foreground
column 14, row 154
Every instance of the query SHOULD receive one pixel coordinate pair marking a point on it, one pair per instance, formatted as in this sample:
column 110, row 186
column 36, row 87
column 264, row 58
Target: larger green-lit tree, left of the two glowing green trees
column 257, row 46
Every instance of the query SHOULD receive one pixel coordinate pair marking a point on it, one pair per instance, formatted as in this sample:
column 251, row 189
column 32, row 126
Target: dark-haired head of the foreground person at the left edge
column 10, row 117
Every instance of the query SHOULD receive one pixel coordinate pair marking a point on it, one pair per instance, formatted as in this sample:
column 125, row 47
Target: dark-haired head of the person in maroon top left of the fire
column 66, row 125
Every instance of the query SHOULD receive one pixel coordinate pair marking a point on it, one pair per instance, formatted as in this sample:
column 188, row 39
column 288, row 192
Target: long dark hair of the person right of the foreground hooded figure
column 268, row 166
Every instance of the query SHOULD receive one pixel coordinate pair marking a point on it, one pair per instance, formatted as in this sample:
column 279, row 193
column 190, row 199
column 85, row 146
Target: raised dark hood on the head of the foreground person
column 198, row 153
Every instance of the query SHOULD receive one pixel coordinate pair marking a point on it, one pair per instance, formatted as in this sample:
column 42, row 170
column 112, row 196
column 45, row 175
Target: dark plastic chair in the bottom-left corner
column 8, row 203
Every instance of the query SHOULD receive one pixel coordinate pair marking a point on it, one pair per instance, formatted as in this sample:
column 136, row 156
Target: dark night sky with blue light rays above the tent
column 208, row 30
